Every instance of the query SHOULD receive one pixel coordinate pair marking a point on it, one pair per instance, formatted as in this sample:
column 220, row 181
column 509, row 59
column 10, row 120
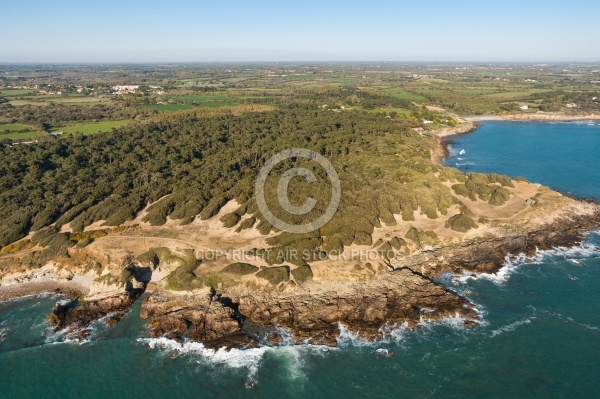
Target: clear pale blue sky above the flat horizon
column 157, row 31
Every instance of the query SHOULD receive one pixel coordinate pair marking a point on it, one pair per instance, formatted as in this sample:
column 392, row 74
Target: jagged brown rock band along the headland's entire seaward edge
column 405, row 296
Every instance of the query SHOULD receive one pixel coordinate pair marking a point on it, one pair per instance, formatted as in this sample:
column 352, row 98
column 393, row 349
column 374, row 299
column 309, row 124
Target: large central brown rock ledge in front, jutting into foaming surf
column 238, row 320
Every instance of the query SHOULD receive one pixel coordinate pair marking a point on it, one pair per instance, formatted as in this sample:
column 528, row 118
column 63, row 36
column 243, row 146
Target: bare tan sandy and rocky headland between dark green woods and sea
column 223, row 303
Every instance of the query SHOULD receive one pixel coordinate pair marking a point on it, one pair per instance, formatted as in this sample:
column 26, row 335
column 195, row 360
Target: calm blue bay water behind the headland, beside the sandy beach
column 562, row 155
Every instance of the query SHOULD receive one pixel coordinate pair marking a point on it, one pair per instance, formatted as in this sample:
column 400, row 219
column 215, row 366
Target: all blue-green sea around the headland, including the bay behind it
column 540, row 335
